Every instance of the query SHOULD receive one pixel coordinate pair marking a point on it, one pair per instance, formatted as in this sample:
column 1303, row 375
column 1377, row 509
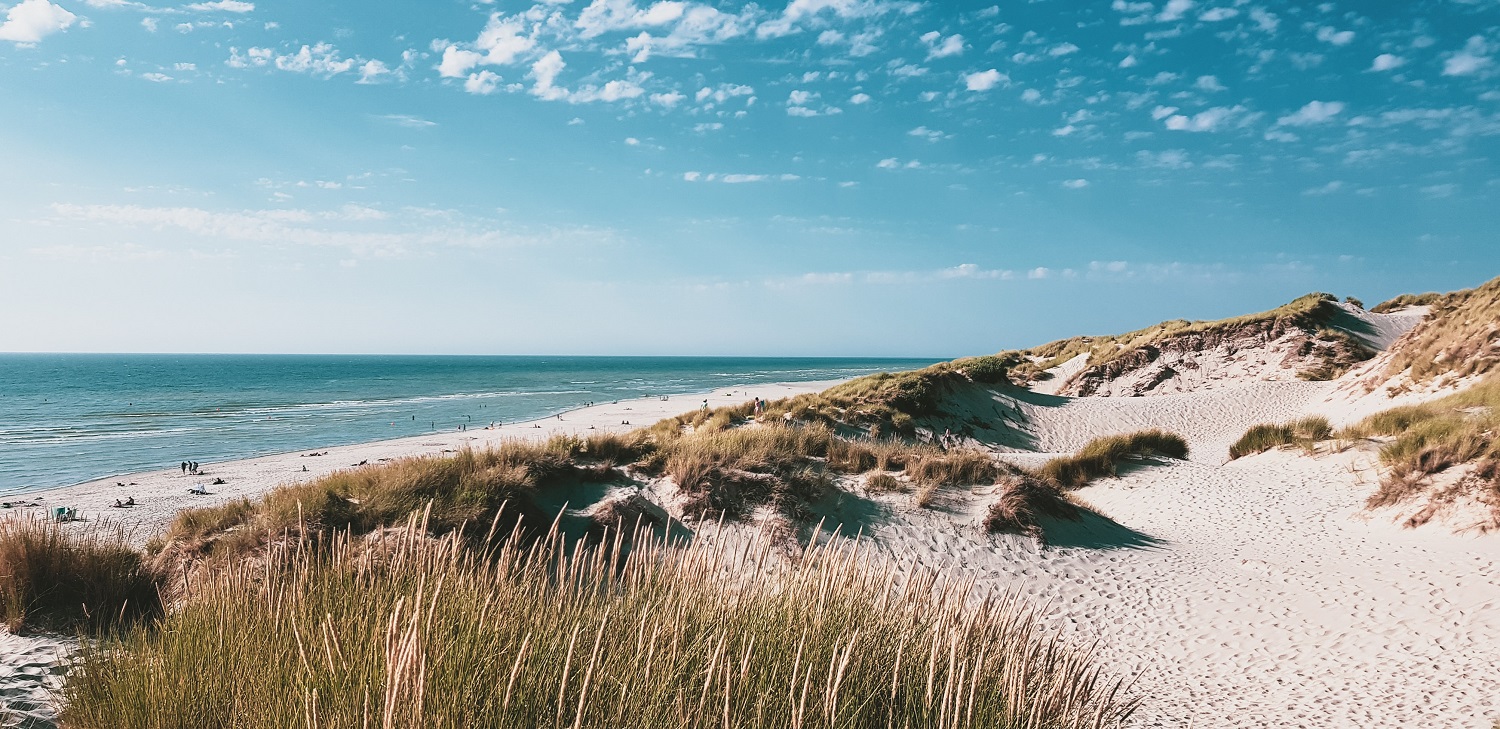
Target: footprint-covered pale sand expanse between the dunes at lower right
column 1252, row 596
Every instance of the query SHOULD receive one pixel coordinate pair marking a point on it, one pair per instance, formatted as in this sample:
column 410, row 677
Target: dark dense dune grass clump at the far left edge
column 70, row 577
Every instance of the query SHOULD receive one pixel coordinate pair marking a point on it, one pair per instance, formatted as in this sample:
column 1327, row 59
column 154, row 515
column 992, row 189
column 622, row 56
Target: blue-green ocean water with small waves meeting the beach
column 73, row 418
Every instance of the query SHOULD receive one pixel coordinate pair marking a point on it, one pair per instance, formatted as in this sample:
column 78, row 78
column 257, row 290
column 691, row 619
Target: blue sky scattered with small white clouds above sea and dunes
column 812, row 178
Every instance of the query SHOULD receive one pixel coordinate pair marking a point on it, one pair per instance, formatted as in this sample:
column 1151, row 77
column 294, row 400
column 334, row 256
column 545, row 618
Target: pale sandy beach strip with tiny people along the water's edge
column 161, row 494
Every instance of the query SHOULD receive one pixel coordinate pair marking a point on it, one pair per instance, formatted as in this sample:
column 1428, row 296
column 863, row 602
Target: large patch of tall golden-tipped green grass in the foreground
column 419, row 632
